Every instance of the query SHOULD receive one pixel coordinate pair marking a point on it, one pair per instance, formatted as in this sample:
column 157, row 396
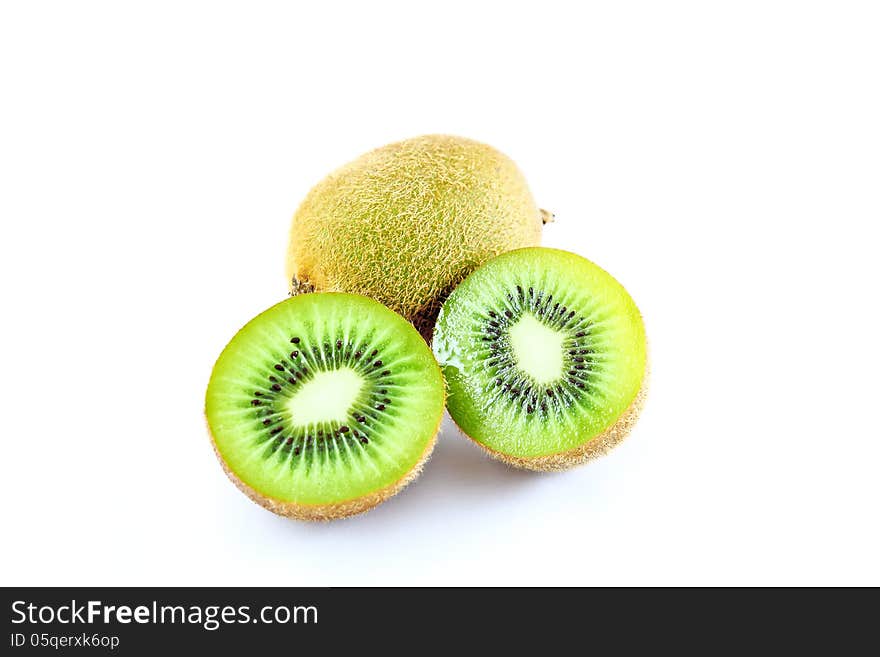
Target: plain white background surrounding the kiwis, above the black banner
column 722, row 160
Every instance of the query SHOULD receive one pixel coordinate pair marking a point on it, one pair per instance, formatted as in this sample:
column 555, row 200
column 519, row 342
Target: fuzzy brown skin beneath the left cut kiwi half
column 328, row 512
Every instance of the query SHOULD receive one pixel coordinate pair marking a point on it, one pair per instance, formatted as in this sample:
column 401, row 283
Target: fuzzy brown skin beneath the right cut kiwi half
column 598, row 446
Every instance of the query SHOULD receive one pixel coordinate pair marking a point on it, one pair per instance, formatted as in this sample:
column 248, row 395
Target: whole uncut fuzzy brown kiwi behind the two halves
column 405, row 223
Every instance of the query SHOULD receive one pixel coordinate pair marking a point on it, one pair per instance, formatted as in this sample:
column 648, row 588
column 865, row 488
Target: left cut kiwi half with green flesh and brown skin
column 324, row 405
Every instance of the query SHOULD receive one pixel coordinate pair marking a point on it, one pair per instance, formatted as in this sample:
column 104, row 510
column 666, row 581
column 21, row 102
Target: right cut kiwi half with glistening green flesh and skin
column 544, row 356
